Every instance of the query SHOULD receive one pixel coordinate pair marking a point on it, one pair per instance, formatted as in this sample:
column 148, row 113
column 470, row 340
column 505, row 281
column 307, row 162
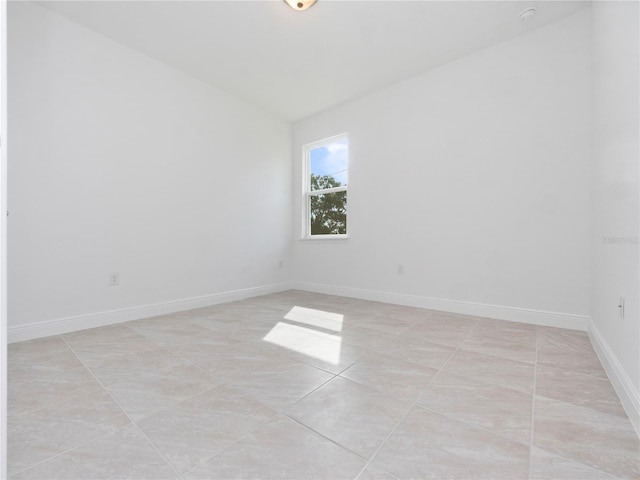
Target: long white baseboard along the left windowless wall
column 81, row 322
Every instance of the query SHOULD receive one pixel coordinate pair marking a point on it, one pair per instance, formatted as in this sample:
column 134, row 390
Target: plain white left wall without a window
column 121, row 164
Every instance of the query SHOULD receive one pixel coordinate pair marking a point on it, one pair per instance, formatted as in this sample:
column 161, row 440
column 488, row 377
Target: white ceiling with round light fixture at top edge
column 295, row 64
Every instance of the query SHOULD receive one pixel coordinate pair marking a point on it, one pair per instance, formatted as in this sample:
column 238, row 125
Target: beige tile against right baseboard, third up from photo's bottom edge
column 585, row 390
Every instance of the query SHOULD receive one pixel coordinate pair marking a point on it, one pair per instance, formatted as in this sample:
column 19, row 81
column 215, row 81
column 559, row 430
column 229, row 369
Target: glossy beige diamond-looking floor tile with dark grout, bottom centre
column 353, row 416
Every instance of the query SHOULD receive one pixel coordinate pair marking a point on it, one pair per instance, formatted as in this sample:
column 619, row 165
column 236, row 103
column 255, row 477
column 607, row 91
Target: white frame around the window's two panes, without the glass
column 307, row 193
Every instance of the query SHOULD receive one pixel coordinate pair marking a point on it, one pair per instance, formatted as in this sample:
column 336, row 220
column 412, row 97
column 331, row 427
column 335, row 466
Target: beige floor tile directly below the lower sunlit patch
column 282, row 385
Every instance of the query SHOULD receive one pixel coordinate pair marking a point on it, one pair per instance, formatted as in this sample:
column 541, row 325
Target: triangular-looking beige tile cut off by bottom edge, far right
column 547, row 466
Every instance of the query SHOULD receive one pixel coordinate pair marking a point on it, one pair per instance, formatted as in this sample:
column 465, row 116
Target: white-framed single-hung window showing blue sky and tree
column 325, row 188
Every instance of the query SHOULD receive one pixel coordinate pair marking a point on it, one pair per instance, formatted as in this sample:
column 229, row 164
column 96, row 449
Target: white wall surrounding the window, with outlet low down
column 475, row 176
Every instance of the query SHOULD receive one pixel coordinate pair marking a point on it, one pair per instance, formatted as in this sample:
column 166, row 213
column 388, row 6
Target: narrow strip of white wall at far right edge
column 616, row 153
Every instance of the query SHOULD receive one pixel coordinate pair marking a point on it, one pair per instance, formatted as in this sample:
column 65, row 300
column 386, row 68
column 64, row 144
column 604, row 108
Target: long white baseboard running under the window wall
column 523, row 315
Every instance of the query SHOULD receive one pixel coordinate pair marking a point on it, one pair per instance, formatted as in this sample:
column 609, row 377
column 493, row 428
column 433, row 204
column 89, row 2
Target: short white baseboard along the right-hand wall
column 628, row 394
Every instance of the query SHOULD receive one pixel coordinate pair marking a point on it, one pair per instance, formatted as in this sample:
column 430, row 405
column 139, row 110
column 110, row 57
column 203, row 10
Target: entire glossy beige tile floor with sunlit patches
column 298, row 385
